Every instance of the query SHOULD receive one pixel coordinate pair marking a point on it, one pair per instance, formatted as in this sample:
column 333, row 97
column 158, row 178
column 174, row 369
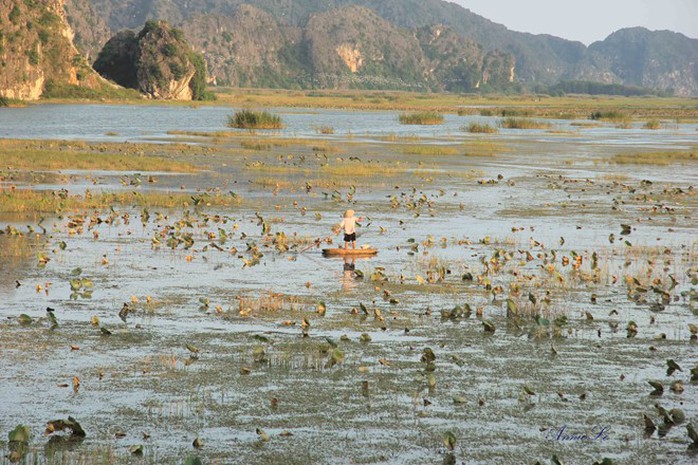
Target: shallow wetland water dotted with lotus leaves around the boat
column 525, row 227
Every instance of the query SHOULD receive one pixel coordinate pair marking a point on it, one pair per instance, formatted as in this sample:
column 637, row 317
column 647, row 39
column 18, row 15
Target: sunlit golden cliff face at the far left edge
column 36, row 50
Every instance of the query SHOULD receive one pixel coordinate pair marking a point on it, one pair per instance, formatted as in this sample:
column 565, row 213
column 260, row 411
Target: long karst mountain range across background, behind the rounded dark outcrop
column 422, row 45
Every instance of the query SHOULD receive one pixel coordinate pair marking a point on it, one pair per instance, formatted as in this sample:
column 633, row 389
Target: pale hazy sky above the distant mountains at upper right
column 588, row 20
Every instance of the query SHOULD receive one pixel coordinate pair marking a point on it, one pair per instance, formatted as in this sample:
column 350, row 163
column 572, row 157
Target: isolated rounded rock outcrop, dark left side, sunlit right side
column 157, row 62
